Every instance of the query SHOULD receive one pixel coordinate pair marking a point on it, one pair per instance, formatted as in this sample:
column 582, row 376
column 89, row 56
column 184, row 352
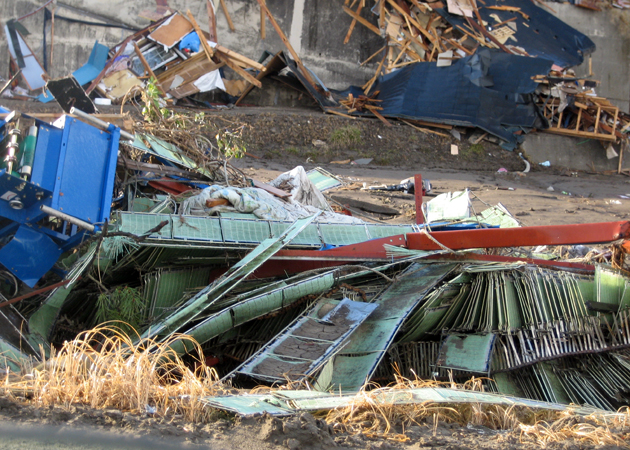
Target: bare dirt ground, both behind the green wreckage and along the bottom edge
column 277, row 141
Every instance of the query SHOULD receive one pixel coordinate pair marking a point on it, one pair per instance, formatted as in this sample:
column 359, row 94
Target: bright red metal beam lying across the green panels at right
column 587, row 233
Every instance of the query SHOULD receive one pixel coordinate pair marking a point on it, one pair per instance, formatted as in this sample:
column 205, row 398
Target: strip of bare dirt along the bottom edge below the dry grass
column 81, row 428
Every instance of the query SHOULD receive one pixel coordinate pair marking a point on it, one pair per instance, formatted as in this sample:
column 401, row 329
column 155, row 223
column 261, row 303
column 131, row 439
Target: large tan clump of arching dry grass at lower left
column 103, row 368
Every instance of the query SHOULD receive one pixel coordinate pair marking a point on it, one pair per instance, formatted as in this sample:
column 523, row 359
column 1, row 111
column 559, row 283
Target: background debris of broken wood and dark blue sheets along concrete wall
column 504, row 67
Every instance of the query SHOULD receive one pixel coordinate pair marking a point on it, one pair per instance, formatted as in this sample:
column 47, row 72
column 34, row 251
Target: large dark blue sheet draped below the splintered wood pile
column 491, row 90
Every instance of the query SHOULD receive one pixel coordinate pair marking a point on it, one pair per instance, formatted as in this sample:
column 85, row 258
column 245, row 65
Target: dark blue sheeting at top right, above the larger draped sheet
column 543, row 35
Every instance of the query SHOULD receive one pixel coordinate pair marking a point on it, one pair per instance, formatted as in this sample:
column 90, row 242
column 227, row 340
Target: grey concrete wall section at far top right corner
column 611, row 59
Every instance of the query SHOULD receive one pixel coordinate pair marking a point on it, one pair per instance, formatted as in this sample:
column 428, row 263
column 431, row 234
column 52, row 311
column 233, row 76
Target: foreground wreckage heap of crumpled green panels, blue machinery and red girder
column 276, row 291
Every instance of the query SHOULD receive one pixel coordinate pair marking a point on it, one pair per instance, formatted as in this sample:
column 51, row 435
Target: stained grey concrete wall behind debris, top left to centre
column 315, row 28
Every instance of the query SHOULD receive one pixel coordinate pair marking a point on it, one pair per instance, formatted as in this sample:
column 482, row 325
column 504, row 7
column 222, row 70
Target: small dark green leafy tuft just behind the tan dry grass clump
column 124, row 305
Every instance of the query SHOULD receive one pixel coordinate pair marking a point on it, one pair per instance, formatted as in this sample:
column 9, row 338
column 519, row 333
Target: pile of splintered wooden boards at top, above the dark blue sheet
column 416, row 33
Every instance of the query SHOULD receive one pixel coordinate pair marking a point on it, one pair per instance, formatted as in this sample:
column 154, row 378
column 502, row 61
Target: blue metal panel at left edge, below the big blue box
column 29, row 255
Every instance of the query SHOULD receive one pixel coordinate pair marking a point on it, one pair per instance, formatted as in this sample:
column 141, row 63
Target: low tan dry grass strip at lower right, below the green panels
column 369, row 415
